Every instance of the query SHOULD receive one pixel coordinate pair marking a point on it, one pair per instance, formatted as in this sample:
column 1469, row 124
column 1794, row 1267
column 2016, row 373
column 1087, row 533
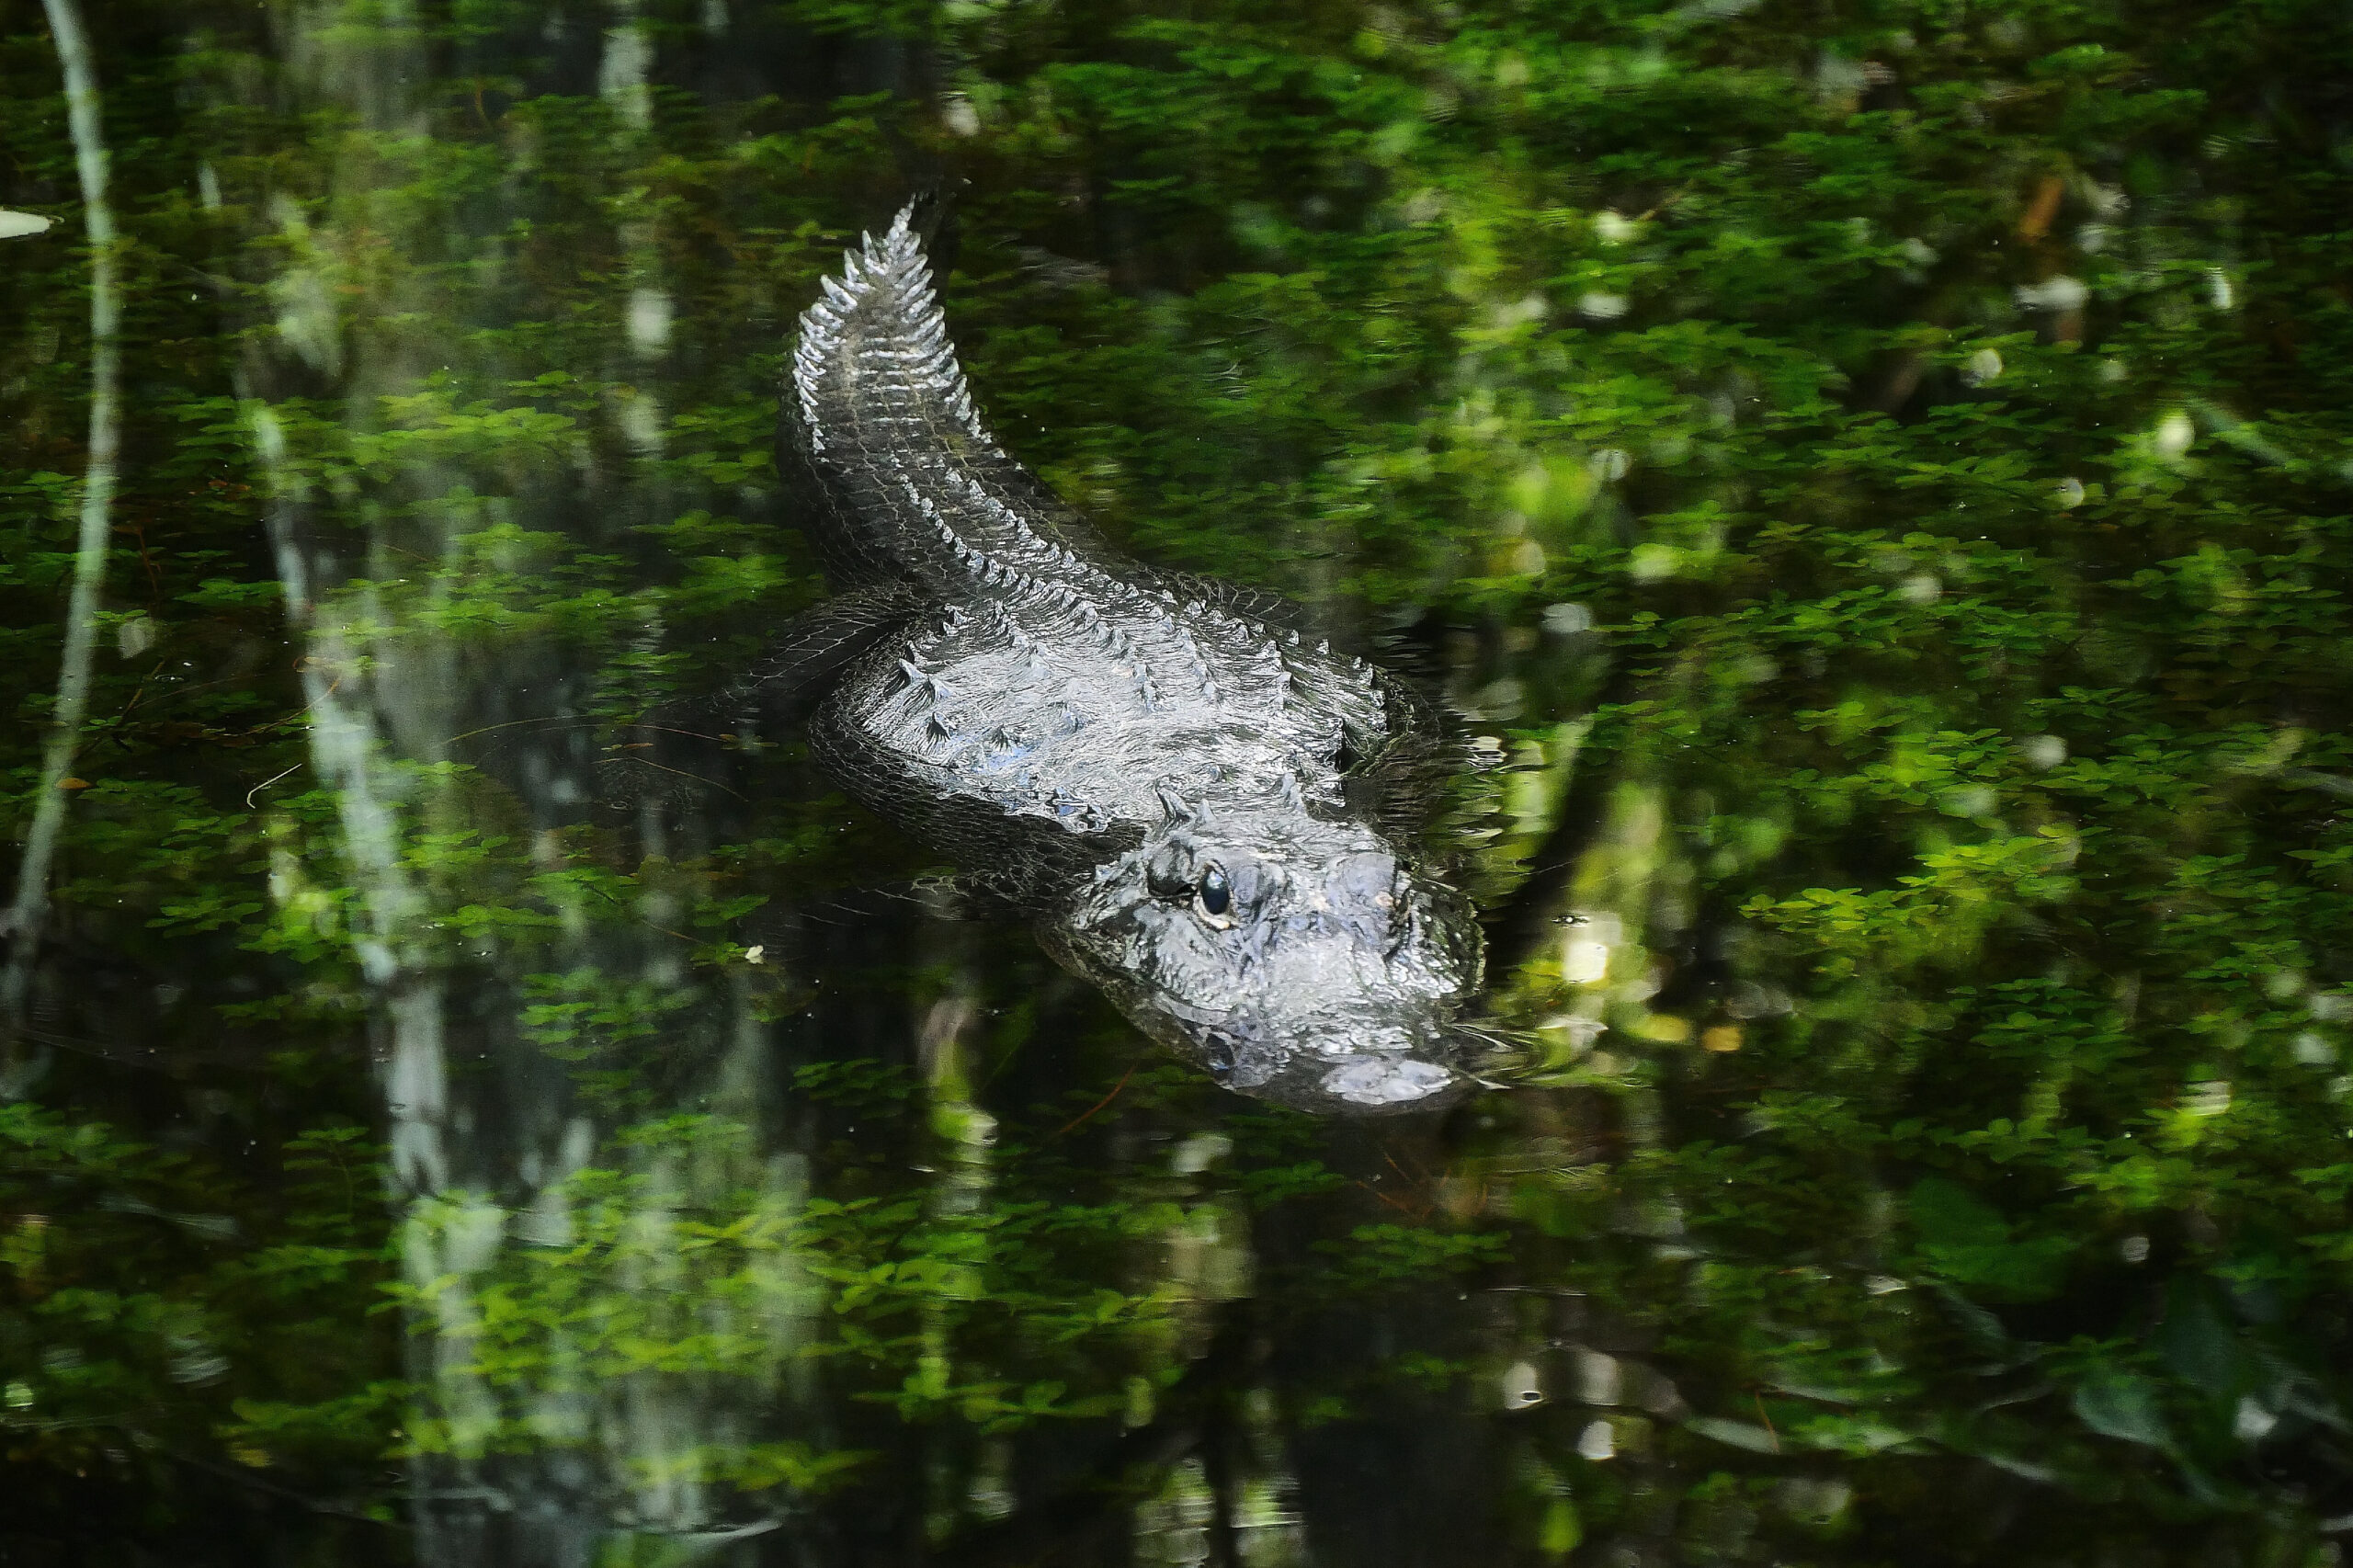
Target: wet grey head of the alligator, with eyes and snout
column 1293, row 957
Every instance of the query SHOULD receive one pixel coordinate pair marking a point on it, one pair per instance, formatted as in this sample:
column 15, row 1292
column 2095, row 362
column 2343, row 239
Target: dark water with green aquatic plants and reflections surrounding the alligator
column 1874, row 477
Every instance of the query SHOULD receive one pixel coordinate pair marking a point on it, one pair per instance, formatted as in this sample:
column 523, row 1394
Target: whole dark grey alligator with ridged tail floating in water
column 1159, row 769
